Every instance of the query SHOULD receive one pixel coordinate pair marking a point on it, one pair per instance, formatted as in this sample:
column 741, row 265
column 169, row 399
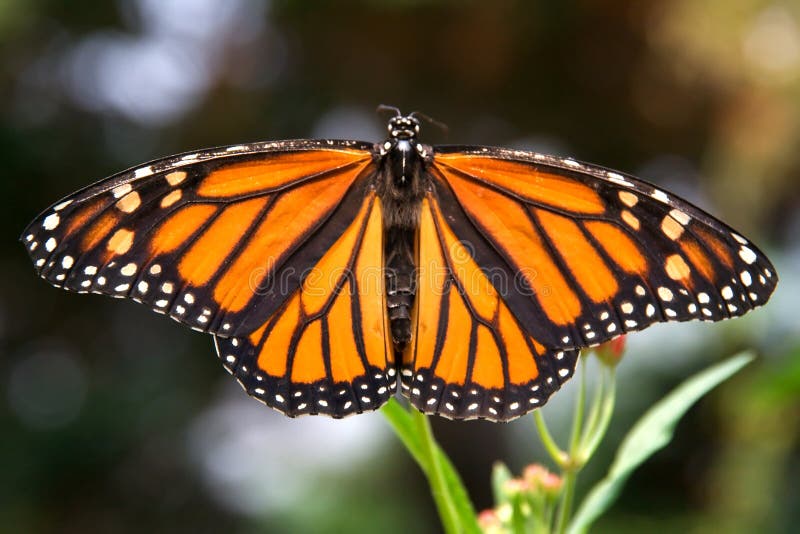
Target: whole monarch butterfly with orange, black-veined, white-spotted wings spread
column 327, row 270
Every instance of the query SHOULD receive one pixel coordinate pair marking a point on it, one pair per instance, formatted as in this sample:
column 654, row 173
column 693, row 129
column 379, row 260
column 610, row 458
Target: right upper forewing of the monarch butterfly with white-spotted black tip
column 587, row 253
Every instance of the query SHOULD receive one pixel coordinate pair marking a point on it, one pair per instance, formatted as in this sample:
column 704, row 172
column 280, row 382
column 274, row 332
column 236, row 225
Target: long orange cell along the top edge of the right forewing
column 524, row 180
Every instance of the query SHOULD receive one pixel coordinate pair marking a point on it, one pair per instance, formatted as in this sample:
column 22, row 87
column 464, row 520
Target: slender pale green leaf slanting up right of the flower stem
column 650, row 434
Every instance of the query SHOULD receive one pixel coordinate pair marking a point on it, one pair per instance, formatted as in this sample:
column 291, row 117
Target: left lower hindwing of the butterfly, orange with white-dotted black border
column 326, row 350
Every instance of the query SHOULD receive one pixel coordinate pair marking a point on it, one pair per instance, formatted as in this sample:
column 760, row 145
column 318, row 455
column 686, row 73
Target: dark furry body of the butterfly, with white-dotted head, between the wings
column 401, row 188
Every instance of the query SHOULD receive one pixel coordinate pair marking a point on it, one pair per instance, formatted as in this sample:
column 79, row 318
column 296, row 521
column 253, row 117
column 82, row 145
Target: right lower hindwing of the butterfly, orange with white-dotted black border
column 470, row 357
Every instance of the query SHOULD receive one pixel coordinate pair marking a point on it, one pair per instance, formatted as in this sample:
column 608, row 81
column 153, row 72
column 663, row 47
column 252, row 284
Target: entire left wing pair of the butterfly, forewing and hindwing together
column 276, row 248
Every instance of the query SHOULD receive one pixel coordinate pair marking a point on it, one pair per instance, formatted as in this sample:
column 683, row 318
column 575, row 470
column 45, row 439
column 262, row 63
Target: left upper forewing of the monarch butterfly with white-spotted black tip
column 217, row 239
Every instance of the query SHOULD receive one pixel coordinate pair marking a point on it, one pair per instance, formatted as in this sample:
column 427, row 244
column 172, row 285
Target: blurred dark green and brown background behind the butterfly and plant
column 114, row 419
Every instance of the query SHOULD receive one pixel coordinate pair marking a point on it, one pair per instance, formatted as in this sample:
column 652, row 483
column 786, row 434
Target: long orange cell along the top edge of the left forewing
column 276, row 171
